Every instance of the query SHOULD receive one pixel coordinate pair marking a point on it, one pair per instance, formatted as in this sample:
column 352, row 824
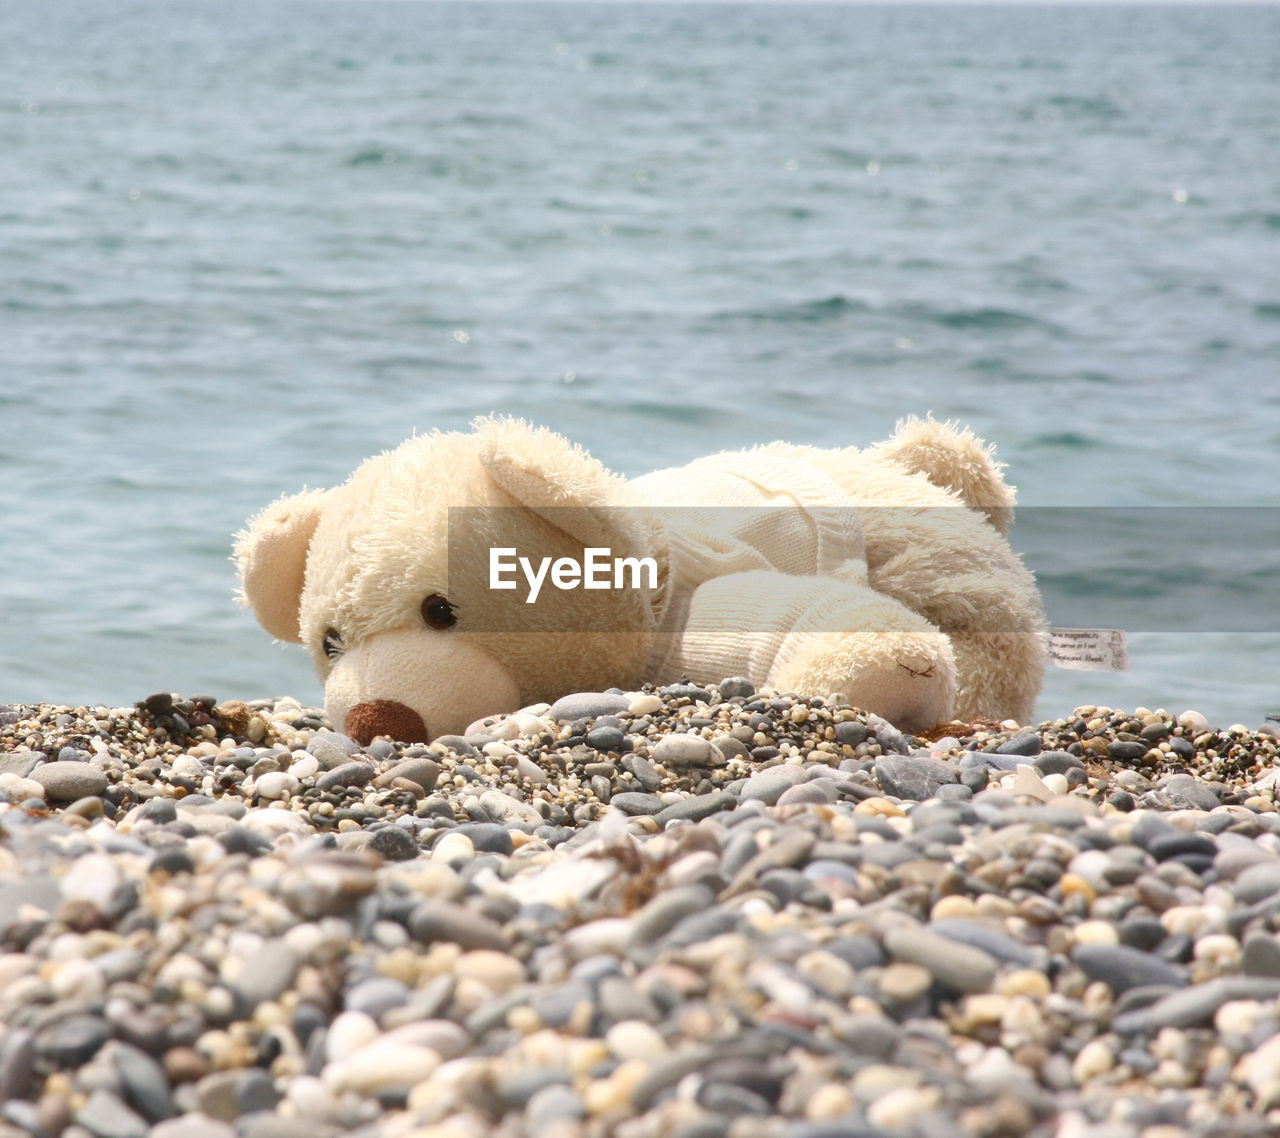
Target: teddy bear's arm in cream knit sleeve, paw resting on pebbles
column 817, row 637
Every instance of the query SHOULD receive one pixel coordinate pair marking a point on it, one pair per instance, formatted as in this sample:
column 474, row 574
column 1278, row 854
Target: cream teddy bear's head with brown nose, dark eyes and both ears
column 394, row 601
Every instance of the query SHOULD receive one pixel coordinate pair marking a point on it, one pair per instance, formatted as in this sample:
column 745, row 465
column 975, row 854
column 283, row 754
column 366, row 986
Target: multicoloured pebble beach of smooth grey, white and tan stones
column 671, row 913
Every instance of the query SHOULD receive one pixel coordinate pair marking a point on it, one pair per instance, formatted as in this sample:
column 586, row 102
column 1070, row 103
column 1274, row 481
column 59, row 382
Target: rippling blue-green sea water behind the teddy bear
column 246, row 245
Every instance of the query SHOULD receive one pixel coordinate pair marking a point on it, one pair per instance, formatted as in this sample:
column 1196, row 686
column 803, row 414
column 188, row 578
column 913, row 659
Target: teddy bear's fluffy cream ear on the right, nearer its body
column 555, row 478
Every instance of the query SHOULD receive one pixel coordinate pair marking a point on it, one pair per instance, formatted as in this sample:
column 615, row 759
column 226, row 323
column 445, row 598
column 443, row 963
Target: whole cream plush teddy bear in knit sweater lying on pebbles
column 468, row 574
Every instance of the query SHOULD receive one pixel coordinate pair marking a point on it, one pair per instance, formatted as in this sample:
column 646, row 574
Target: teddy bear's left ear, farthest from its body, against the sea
column 272, row 555
